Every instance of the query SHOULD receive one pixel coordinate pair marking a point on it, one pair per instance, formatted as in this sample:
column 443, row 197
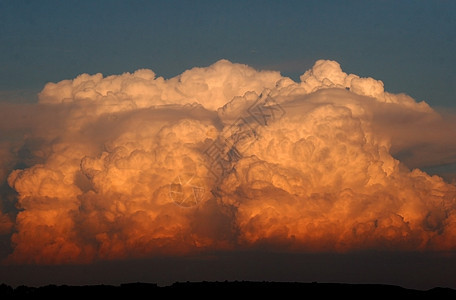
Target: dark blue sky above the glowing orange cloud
column 409, row 45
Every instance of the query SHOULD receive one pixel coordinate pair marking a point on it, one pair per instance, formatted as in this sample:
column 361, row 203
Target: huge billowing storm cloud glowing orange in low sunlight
column 224, row 157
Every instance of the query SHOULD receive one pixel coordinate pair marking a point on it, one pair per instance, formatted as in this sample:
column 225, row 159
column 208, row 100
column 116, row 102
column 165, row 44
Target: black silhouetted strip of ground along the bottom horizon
column 227, row 288
